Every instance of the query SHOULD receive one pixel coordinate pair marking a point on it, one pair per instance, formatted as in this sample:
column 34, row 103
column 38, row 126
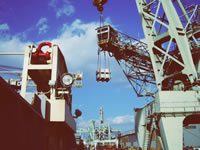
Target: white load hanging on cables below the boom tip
column 103, row 74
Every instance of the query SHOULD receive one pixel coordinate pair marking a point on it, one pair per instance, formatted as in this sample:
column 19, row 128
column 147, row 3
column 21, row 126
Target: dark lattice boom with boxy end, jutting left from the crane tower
column 132, row 56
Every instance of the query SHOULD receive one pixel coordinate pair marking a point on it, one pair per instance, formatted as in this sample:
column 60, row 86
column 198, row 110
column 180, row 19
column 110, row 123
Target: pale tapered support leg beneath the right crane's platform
column 171, row 129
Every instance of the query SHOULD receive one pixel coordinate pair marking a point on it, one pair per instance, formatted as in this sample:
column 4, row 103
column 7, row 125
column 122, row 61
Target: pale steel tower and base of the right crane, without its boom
column 172, row 32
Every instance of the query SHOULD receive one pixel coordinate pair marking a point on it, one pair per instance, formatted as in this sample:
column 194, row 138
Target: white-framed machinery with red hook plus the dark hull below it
column 38, row 106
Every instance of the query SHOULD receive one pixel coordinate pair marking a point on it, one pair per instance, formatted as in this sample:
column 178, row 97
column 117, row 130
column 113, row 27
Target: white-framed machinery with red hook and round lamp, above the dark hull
column 45, row 76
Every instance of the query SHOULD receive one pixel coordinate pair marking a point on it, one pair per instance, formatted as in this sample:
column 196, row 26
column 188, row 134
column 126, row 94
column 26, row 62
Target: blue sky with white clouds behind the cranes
column 71, row 24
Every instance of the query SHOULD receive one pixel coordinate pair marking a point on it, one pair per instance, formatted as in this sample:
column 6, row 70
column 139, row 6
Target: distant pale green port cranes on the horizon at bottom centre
column 101, row 136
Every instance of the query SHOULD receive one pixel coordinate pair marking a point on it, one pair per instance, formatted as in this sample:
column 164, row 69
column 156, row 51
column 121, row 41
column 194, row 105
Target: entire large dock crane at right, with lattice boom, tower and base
column 171, row 63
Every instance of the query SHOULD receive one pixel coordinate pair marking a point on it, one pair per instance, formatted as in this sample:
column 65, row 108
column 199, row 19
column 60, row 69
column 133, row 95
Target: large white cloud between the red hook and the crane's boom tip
column 78, row 44
